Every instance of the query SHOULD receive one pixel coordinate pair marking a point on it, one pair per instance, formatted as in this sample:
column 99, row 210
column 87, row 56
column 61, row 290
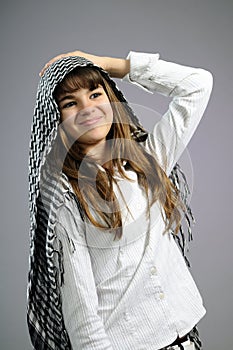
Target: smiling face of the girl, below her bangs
column 86, row 116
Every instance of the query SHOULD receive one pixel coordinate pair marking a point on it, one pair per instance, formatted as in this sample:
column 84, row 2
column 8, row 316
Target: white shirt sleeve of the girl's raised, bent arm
column 190, row 90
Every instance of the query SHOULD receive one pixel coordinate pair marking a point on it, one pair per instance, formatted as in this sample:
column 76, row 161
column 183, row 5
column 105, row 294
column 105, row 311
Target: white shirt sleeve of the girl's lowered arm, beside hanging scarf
column 79, row 297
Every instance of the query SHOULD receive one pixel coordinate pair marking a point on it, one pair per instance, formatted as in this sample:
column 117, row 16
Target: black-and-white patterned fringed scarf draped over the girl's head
column 44, row 309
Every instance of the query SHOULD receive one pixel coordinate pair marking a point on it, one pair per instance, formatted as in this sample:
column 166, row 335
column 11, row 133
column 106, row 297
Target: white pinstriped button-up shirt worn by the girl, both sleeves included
column 136, row 293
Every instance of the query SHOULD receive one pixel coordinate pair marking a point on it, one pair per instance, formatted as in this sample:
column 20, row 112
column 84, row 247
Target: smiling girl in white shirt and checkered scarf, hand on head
column 105, row 270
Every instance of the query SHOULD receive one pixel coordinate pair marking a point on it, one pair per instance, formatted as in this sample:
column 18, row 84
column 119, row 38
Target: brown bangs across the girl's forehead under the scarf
column 79, row 78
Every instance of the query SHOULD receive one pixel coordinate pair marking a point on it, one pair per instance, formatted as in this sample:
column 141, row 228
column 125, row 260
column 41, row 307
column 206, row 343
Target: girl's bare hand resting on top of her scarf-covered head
column 98, row 60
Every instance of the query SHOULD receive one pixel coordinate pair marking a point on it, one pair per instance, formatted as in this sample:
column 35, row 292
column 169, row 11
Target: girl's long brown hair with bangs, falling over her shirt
column 88, row 182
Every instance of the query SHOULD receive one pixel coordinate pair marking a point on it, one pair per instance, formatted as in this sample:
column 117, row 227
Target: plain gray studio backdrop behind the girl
column 197, row 33
